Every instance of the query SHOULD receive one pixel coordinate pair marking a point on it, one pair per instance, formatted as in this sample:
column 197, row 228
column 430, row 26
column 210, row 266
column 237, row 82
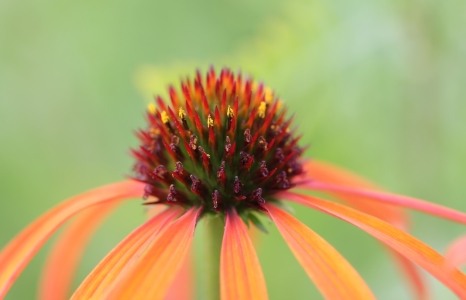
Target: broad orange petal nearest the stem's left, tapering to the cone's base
column 155, row 270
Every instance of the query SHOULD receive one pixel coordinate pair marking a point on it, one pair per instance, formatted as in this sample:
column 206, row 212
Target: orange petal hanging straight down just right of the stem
column 240, row 272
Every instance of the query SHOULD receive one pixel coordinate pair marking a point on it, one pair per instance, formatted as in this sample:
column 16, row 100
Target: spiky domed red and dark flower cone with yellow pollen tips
column 226, row 142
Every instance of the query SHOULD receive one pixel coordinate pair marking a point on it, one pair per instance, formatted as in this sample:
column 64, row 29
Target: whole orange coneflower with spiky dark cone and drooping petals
column 227, row 153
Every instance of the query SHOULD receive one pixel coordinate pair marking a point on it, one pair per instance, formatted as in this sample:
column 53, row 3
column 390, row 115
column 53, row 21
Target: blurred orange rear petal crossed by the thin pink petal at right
column 329, row 174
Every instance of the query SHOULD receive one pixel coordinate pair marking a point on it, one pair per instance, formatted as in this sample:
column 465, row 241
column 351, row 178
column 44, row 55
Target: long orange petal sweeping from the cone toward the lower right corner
column 408, row 246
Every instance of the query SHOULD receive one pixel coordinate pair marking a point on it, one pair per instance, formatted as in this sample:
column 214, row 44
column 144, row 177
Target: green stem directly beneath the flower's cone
column 213, row 246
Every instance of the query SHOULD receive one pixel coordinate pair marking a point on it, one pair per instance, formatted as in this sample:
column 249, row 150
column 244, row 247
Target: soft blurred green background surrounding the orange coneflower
column 378, row 87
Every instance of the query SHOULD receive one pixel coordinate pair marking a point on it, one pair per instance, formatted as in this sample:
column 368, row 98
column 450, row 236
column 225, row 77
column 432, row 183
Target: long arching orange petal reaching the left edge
column 15, row 256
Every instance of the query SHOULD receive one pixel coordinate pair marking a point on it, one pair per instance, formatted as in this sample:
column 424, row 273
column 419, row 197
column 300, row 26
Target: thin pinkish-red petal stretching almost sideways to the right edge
column 403, row 201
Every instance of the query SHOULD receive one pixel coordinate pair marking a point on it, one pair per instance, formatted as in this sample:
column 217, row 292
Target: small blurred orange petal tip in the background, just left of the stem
column 182, row 287
